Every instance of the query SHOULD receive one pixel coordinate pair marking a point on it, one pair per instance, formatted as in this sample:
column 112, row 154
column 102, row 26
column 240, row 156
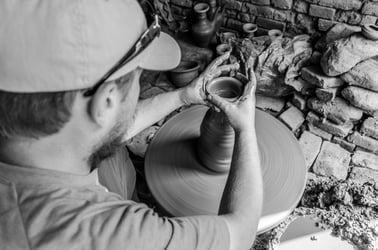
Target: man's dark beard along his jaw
column 107, row 148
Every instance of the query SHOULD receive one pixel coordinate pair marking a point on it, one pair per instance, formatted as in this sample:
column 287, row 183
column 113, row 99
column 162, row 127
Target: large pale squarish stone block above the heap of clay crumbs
column 332, row 161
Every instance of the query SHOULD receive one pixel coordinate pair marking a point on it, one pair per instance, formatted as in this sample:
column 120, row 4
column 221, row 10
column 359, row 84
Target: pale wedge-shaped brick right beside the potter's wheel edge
column 310, row 145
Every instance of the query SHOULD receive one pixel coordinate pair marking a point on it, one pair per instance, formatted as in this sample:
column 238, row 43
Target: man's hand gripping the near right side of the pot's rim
column 241, row 114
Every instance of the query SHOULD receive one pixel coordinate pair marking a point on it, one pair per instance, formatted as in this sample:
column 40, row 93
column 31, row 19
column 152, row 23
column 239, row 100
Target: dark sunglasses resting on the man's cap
column 143, row 41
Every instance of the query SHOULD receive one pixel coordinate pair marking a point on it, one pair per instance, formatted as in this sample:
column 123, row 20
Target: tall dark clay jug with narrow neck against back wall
column 202, row 29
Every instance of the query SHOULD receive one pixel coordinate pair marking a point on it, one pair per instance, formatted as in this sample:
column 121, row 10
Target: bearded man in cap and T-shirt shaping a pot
column 67, row 101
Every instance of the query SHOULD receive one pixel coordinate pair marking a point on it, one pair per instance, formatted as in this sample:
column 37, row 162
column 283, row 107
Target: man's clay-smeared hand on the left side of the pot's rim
column 194, row 93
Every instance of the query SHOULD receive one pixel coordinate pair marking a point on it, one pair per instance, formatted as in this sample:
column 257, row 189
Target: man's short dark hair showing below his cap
column 35, row 115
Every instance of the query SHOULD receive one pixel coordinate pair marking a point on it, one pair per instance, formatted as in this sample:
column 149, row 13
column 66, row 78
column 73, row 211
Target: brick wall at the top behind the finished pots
column 291, row 16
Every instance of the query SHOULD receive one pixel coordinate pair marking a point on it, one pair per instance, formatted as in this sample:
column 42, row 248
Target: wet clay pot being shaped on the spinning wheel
column 216, row 142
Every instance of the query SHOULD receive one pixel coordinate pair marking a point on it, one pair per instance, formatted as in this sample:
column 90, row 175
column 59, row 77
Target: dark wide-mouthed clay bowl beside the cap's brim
column 184, row 73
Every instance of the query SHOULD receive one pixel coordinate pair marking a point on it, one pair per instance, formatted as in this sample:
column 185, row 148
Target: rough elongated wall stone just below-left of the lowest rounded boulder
column 337, row 111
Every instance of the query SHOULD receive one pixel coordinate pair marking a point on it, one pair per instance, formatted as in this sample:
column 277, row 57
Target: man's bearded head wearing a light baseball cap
column 56, row 77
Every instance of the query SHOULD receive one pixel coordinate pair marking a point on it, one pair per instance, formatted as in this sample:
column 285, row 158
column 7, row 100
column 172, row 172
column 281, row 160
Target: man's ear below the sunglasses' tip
column 103, row 106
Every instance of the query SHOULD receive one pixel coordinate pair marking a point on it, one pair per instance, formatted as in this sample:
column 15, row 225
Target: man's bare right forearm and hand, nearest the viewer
column 242, row 198
